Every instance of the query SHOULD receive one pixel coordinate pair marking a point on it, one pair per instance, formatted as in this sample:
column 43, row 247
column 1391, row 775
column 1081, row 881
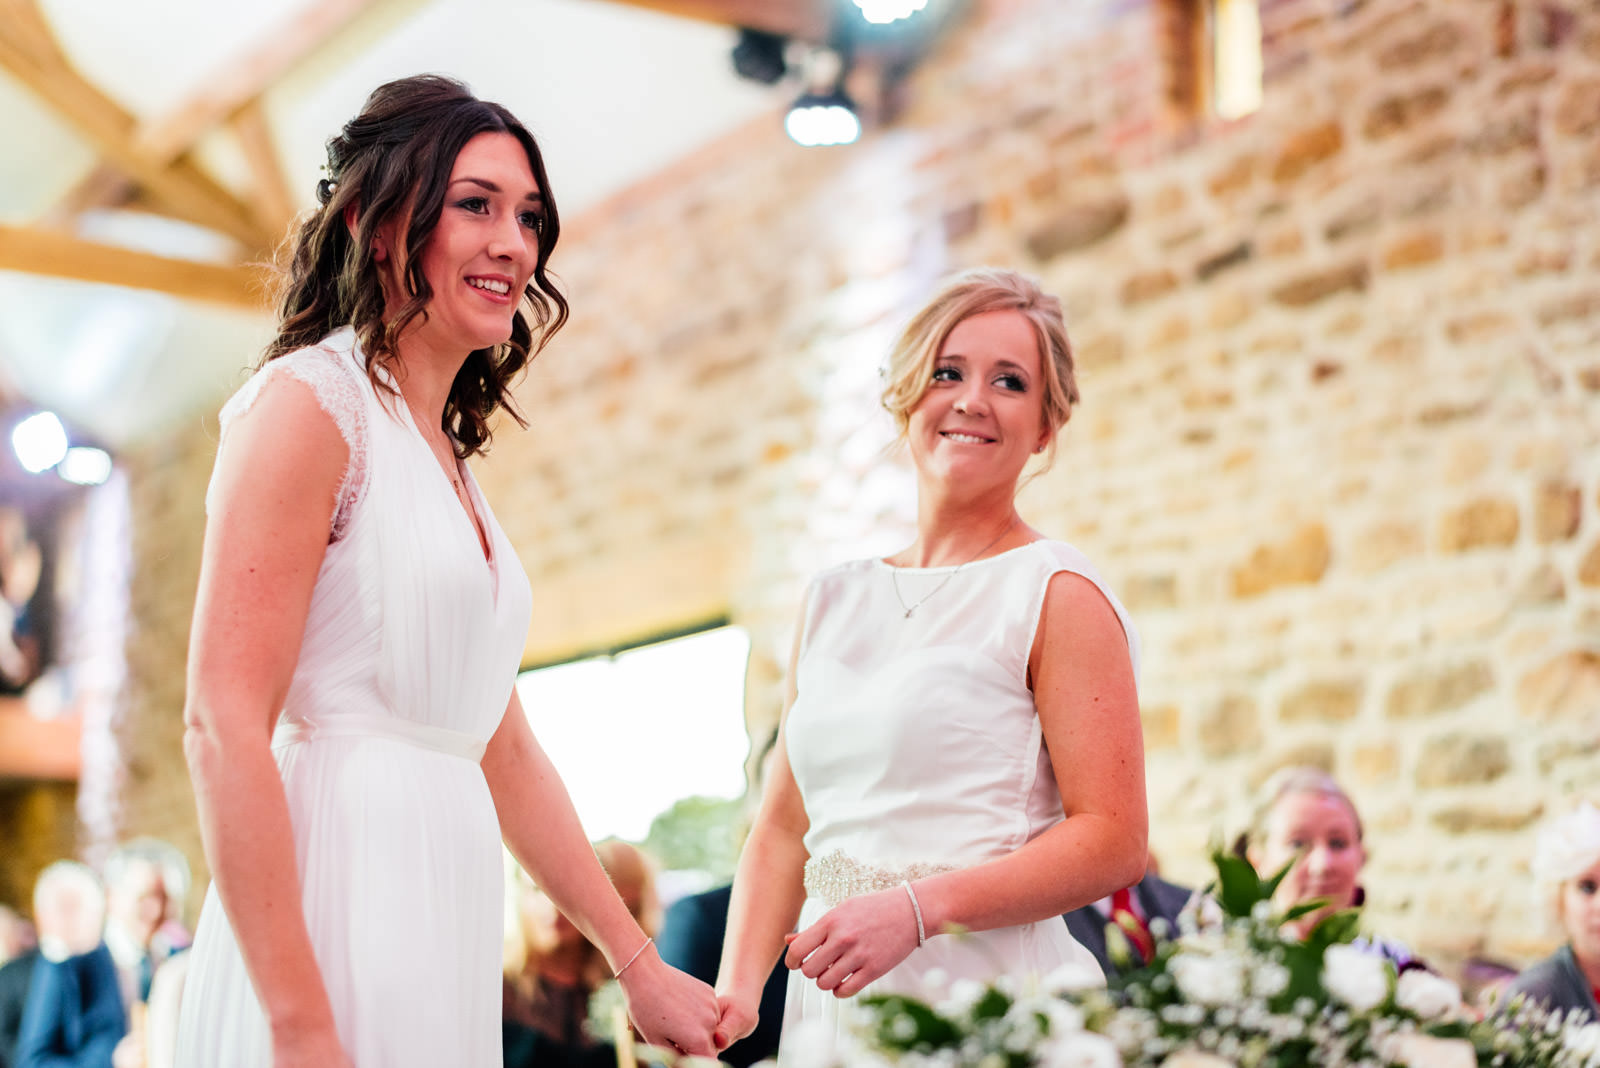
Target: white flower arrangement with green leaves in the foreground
column 1230, row 992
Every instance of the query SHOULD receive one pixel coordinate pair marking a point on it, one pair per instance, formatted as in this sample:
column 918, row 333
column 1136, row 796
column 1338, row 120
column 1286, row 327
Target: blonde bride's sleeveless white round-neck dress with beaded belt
column 918, row 749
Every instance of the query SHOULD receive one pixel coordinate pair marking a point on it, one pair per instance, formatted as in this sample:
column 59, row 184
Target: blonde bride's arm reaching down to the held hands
column 769, row 890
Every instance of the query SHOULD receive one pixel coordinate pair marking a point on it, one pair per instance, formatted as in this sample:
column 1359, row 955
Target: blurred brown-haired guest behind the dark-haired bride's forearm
column 553, row 971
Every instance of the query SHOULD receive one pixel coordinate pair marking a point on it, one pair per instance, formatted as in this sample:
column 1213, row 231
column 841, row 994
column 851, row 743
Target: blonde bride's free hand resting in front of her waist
column 855, row 942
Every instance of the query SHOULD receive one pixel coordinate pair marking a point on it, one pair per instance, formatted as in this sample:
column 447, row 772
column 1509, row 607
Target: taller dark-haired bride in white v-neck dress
column 353, row 728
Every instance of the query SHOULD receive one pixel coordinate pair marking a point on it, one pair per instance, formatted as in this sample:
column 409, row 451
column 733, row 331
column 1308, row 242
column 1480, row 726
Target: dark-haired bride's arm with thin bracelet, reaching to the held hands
column 543, row 831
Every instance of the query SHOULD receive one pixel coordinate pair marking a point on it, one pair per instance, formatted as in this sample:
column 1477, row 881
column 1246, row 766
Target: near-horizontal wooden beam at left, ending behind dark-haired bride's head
column 58, row 255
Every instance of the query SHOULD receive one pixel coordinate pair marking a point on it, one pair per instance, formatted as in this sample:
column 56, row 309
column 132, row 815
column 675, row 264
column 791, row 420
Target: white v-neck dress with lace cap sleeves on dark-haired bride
column 412, row 648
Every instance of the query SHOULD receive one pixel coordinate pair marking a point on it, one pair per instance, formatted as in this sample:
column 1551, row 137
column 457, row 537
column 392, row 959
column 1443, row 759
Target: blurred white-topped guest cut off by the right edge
column 1567, row 877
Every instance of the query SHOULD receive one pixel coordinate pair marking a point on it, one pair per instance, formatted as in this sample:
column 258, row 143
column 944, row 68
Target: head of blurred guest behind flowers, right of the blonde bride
column 1305, row 816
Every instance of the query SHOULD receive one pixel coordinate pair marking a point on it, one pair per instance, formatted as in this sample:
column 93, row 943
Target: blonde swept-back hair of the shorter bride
column 974, row 293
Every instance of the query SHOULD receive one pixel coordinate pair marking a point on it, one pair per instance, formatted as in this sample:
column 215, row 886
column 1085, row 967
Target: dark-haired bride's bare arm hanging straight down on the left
column 273, row 498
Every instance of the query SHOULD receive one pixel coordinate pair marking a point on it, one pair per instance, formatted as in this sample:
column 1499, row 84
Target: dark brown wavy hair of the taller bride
column 394, row 162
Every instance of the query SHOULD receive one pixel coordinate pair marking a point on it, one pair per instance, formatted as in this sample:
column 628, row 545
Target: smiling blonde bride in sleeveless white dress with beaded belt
column 961, row 747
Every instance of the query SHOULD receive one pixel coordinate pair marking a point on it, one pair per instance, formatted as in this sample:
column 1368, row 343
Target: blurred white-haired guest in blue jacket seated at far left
column 74, row 1014
